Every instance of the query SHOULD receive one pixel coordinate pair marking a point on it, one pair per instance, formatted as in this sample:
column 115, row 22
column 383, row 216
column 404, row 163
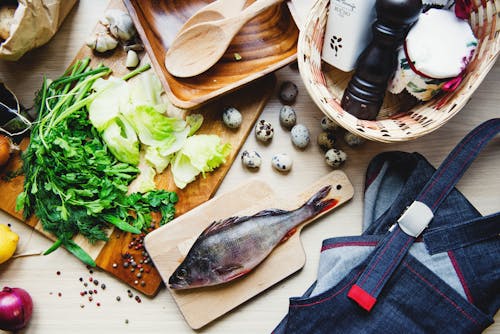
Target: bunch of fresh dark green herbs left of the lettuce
column 73, row 184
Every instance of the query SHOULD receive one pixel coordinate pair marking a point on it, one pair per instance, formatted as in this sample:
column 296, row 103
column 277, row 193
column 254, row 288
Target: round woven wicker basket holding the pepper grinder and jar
column 326, row 84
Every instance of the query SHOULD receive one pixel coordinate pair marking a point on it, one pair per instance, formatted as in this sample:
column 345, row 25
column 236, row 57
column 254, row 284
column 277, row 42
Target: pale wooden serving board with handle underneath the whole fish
column 169, row 245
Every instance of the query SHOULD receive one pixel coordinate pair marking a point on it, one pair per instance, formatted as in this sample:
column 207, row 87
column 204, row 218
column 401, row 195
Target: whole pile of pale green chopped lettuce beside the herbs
column 131, row 117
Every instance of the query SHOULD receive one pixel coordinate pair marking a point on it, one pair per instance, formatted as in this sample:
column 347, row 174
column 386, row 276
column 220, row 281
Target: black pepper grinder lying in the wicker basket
column 364, row 95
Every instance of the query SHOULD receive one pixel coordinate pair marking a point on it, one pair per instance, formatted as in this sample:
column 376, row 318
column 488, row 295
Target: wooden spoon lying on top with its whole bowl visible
column 198, row 48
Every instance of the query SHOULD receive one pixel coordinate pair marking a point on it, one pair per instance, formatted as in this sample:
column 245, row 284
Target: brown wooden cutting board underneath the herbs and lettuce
column 249, row 100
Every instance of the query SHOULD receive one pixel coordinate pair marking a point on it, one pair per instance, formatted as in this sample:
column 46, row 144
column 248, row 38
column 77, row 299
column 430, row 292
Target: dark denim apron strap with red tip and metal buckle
column 419, row 214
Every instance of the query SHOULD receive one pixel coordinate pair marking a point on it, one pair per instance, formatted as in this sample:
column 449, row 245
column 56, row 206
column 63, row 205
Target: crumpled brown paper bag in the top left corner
column 34, row 24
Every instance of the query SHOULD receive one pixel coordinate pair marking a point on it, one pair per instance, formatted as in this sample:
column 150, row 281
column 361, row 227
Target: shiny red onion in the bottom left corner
column 16, row 307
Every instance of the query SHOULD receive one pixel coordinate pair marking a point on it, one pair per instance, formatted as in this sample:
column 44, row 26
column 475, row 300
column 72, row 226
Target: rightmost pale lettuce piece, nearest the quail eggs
column 200, row 154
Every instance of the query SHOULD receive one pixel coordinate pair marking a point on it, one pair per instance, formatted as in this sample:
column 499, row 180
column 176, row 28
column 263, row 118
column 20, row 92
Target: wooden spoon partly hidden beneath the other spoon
column 217, row 10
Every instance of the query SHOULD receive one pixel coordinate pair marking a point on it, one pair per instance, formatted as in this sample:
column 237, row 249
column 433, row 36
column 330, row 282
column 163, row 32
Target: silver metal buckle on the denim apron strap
column 415, row 219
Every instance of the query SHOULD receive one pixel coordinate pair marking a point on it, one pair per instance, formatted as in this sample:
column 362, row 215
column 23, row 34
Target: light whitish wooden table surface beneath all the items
column 58, row 304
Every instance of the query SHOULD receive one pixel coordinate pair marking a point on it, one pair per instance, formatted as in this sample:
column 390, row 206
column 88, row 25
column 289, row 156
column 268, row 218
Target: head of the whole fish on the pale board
column 192, row 273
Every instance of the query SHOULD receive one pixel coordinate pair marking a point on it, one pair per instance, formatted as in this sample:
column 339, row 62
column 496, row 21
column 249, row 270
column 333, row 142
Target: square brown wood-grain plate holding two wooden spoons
column 265, row 44
